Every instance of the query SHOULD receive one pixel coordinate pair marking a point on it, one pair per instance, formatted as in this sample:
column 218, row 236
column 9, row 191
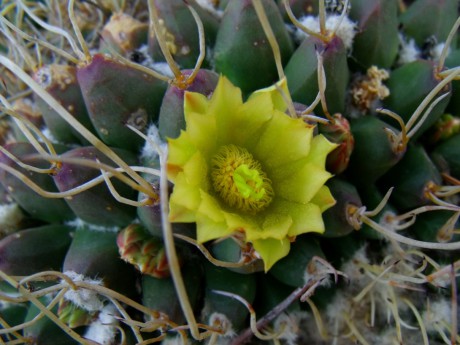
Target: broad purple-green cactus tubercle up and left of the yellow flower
column 111, row 108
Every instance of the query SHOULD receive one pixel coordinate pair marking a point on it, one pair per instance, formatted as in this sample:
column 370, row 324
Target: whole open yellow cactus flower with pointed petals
column 248, row 167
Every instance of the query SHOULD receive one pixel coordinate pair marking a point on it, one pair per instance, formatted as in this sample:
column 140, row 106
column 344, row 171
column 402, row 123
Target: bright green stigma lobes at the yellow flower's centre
column 248, row 182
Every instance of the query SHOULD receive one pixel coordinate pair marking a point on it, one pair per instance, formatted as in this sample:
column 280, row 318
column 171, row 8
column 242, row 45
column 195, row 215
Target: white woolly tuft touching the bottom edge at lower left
column 103, row 330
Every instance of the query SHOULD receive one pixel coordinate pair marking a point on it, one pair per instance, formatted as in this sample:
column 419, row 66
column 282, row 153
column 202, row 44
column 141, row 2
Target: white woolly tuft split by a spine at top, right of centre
column 346, row 29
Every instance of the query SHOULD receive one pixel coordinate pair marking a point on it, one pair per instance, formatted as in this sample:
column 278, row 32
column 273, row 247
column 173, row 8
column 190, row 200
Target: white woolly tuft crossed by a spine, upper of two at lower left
column 83, row 298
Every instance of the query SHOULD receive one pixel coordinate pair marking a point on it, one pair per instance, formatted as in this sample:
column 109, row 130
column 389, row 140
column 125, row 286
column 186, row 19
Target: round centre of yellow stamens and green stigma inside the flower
column 239, row 179
